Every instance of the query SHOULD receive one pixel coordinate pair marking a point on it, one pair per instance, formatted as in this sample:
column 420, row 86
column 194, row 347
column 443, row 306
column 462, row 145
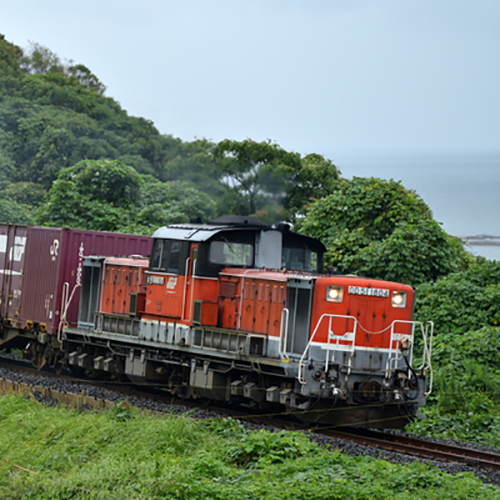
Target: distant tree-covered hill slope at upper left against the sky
column 52, row 115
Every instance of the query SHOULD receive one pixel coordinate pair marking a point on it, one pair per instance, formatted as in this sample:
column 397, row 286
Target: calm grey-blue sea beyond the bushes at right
column 462, row 190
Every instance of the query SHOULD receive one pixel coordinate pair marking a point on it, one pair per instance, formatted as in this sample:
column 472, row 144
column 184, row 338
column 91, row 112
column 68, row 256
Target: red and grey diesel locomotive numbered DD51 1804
column 237, row 311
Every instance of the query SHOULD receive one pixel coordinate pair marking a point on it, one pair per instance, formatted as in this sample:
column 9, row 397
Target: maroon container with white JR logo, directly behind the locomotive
column 53, row 270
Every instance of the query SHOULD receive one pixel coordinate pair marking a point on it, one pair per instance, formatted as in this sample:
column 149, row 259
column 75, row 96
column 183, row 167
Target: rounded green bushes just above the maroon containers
column 110, row 196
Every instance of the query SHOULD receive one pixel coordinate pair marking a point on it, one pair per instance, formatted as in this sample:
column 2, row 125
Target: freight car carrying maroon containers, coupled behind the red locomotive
column 40, row 280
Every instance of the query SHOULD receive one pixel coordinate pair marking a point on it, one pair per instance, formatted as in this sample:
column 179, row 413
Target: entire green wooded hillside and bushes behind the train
column 70, row 156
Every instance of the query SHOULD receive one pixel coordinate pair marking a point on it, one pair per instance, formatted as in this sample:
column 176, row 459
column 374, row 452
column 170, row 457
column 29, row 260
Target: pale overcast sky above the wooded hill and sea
column 342, row 78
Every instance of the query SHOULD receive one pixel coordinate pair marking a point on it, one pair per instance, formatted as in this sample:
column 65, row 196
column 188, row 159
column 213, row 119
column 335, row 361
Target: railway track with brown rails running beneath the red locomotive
column 392, row 442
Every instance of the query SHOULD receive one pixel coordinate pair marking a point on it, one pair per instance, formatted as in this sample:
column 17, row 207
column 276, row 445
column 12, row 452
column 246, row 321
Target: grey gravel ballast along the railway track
column 348, row 447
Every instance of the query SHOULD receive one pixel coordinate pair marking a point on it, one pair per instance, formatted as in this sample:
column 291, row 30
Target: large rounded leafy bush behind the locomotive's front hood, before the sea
column 380, row 229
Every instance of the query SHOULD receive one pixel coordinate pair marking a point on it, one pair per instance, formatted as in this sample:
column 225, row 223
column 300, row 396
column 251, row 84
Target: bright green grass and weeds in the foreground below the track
column 121, row 454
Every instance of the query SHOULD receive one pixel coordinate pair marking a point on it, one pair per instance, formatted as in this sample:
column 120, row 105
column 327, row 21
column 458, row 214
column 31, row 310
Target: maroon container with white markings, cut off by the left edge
column 12, row 257
